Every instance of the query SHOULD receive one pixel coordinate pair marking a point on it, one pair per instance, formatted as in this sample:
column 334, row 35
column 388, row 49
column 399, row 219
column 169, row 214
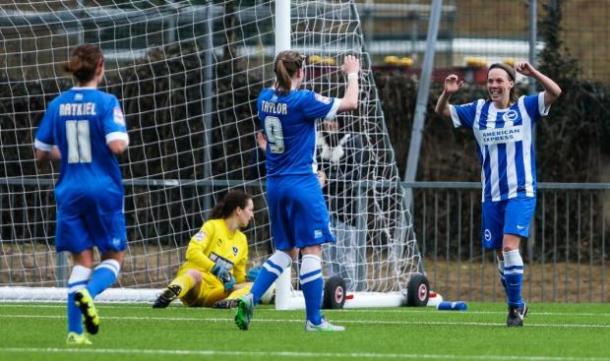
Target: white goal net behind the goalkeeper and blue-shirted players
column 187, row 74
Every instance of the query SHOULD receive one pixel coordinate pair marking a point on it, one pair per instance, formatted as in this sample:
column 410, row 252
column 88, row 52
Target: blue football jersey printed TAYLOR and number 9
column 289, row 124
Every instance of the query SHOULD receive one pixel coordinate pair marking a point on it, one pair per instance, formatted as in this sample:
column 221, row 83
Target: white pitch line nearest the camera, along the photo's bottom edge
column 290, row 354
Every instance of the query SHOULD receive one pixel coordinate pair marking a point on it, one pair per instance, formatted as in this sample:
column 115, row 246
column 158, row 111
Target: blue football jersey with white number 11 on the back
column 81, row 122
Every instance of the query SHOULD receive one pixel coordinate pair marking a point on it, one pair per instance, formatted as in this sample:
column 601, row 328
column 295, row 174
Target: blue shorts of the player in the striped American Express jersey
column 511, row 216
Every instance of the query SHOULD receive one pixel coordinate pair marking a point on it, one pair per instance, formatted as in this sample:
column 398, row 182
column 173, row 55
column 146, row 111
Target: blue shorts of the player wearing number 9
column 298, row 213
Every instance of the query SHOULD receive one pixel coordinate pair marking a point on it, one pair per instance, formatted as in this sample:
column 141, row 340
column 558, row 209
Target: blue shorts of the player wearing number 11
column 93, row 223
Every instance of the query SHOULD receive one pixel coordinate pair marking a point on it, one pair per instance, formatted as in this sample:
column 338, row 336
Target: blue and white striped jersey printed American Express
column 504, row 144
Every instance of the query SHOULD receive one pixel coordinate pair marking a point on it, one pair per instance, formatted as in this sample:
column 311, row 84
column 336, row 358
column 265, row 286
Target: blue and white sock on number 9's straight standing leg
column 312, row 285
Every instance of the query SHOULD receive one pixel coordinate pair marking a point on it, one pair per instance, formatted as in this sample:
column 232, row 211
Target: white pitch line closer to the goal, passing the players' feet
column 355, row 322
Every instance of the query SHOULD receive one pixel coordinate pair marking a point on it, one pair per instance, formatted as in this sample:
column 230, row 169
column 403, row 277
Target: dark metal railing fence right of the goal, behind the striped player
column 566, row 255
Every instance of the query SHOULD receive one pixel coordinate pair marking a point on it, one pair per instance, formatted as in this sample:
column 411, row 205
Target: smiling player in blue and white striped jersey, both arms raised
column 502, row 127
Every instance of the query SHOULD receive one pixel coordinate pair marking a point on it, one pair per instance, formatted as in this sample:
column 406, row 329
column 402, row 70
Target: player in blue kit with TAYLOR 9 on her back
column 298, row 213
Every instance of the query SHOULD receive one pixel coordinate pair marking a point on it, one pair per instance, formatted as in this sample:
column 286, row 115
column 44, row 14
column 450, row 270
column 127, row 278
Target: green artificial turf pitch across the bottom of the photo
column 553, row 332
